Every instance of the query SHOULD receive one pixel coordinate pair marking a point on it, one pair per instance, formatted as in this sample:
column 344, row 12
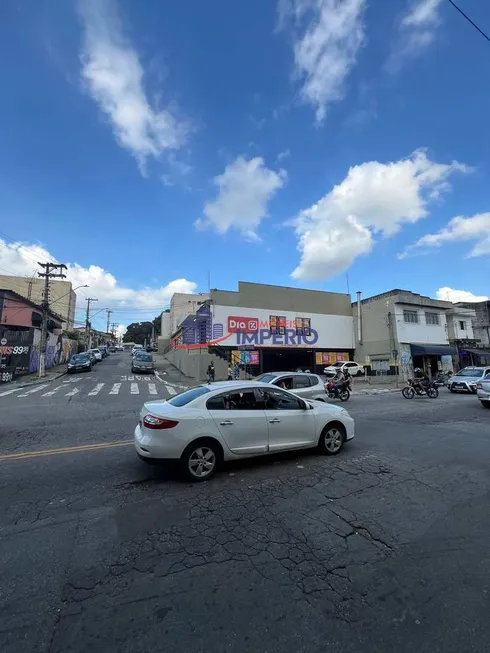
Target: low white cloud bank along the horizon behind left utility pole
column 20, row 259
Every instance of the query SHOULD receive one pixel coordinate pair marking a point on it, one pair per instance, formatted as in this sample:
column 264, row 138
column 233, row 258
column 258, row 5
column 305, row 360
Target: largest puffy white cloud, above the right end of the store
column 373, row 198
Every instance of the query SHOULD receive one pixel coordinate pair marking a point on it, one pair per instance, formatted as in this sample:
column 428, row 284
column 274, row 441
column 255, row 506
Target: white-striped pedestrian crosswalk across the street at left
column 85, row 388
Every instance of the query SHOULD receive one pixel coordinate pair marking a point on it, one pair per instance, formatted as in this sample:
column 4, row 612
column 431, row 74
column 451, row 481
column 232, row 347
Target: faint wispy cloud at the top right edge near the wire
column 416, row 31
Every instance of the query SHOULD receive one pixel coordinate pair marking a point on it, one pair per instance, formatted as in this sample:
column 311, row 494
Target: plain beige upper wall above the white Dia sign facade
column 258, row 295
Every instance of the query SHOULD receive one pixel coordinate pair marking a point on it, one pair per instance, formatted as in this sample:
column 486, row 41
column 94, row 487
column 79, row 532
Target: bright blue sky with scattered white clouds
column 159, row 147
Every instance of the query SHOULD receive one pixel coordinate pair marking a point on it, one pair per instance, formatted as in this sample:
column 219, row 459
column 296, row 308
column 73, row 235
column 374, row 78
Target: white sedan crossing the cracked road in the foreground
column 230, row 420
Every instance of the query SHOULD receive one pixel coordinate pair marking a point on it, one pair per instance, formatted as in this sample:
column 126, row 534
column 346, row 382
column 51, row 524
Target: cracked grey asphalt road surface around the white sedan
column 382, row 548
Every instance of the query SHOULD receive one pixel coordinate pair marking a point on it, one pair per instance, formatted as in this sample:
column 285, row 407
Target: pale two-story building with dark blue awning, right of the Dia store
column 400, row 330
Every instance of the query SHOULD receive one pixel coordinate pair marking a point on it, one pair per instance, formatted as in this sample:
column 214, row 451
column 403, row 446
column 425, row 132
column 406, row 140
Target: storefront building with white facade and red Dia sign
column 264, row 328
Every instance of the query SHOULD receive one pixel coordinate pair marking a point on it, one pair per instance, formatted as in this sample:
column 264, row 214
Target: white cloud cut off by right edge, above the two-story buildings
column 476, row 228
